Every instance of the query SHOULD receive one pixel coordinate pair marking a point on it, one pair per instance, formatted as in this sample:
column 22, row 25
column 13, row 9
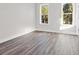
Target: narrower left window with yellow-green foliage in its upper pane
column 44, row 13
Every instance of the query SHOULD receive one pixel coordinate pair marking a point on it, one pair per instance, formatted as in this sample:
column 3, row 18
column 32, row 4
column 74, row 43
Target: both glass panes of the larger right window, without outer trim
column 67, row 13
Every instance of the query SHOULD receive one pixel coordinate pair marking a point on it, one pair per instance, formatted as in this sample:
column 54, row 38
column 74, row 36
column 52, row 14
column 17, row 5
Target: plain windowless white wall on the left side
column 15, row 20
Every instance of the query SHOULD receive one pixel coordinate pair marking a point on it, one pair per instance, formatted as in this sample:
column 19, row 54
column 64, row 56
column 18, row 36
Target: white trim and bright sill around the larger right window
column 65, row 26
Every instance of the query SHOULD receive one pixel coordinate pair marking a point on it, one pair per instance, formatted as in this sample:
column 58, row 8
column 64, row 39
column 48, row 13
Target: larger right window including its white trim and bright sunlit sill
column 67, row 14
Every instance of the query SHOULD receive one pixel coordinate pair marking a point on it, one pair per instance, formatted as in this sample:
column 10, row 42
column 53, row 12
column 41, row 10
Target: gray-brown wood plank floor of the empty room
column 41, row 43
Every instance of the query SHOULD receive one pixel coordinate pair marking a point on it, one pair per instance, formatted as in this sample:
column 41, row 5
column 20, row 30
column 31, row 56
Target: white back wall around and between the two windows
column 54, row 20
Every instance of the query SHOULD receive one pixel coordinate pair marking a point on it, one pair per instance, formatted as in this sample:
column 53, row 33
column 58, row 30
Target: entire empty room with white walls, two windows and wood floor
column 39, row 29
